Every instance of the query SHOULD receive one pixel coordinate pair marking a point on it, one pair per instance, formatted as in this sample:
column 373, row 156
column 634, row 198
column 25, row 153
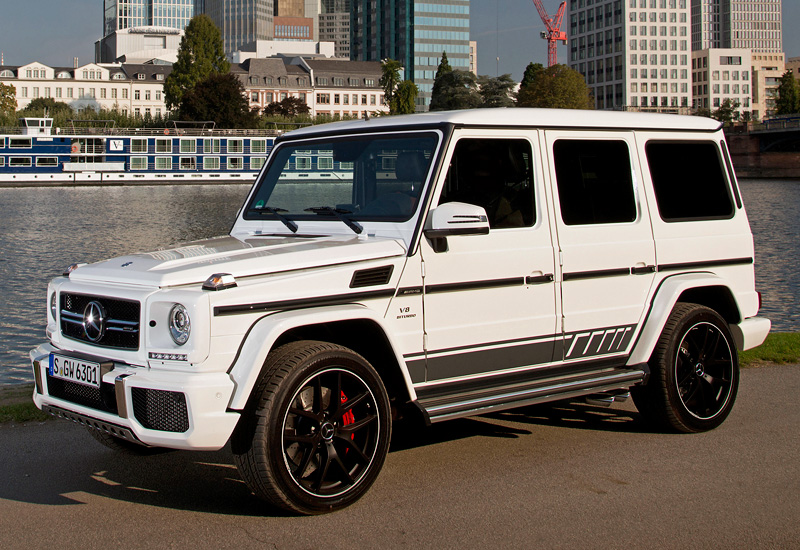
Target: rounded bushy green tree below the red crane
column 556, row 87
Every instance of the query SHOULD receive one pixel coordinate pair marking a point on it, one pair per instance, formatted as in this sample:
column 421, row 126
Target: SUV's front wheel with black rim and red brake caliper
column 297, row 447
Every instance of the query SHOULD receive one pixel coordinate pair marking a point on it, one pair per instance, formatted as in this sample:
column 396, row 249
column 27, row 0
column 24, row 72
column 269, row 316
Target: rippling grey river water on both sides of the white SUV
column 42, row 230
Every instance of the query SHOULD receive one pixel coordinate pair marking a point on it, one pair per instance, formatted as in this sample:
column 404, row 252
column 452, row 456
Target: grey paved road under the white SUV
column 564, row 476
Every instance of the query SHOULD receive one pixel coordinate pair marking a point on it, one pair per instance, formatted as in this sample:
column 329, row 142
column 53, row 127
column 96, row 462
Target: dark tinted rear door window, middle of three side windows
column 594, row 181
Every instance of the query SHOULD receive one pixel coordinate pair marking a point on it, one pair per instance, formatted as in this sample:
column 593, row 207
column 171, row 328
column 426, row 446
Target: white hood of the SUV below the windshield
column 257, row 255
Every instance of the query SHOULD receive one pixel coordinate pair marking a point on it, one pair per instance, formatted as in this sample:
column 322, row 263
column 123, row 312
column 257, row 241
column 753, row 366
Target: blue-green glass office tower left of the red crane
column 414, row 33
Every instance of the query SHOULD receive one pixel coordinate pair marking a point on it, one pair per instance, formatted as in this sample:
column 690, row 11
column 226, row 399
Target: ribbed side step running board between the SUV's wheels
column 615, row 381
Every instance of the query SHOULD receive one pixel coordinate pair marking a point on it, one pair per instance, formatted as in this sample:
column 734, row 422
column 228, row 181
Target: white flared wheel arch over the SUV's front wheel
column 262, row 336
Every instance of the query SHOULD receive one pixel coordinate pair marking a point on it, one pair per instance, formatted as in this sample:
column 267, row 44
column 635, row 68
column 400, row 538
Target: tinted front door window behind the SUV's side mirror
column 496, row 174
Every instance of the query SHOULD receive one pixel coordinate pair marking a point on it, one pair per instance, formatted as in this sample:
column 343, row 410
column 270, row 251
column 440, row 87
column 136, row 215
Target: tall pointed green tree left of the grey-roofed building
column 200, row 55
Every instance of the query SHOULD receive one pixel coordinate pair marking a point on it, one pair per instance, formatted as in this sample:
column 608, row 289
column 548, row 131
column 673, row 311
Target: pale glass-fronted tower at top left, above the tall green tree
column 126, row 14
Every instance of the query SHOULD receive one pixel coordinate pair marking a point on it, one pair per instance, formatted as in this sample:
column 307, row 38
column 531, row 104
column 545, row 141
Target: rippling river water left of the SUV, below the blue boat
column 43, row 230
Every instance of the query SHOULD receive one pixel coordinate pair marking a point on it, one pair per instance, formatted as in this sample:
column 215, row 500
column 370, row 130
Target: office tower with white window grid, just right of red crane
column 633, row 53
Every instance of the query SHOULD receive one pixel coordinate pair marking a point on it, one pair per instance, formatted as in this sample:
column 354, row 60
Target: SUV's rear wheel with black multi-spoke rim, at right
column 694, row 372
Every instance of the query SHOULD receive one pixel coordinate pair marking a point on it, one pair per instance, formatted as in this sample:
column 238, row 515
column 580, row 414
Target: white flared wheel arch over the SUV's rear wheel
column 666, row 296
